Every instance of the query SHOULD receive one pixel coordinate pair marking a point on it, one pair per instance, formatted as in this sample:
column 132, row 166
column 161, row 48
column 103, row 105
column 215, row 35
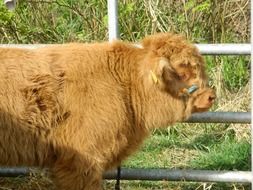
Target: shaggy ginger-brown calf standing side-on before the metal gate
column 81, row 109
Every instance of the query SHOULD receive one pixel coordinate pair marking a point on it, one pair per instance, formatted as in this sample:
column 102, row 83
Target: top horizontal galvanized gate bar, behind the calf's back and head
column 205, row 49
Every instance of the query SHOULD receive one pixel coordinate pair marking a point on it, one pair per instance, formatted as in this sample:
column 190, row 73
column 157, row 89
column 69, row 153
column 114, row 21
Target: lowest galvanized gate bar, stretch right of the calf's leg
column 181, row 175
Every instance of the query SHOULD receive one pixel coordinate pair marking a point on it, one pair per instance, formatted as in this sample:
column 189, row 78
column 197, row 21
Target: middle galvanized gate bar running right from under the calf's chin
column 220, row 117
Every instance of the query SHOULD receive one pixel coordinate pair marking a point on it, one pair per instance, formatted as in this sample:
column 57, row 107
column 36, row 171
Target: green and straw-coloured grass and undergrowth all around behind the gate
column 195, row 146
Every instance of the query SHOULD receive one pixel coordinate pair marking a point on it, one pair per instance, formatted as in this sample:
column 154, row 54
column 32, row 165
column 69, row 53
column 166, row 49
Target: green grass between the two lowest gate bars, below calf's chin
column 213, row 150
